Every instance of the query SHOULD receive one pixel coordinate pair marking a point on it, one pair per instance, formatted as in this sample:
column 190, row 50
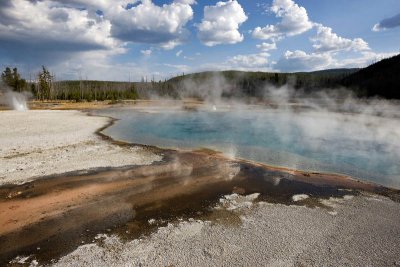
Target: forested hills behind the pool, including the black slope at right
column 381, row 79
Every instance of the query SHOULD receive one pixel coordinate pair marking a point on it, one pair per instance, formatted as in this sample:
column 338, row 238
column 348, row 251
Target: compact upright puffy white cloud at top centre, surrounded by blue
column 221, row 22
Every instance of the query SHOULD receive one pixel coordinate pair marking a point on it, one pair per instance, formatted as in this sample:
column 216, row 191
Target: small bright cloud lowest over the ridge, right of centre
column 301, row 61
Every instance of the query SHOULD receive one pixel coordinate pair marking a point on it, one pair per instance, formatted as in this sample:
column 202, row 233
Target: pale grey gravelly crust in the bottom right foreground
column 356, row 231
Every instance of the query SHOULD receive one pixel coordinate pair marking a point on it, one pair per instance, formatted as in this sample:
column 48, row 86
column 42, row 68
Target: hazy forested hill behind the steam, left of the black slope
column 252, row 84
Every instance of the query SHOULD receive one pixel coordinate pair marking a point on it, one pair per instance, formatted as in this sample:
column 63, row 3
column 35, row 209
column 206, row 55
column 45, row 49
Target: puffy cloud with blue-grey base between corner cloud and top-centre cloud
column 149, row 23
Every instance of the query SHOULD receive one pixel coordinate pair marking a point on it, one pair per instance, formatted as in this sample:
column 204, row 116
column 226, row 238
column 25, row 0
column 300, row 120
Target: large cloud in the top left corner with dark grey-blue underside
column 29, row 28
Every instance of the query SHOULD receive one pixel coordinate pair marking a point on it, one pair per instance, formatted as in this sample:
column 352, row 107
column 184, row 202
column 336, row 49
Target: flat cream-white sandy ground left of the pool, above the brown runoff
column 39, row 143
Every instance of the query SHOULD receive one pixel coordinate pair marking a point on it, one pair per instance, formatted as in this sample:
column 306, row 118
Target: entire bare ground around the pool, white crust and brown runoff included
column 71, row 198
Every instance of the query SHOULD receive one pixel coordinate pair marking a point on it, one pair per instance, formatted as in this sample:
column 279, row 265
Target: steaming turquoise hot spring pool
column 364, row 147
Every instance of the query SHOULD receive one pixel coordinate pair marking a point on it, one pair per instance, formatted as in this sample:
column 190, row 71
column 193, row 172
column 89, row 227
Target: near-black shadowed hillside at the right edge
column 379, row 79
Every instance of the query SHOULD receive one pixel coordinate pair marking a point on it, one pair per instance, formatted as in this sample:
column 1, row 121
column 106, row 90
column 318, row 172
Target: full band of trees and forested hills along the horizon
column 380, row 79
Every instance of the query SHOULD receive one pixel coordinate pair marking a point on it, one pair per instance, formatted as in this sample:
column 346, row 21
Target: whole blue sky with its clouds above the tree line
column 126, row 40
